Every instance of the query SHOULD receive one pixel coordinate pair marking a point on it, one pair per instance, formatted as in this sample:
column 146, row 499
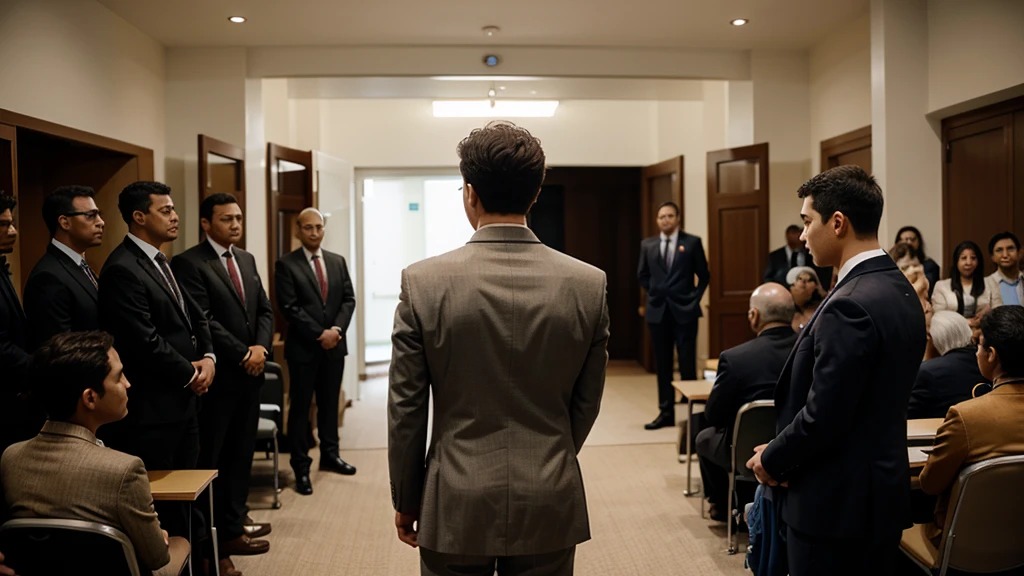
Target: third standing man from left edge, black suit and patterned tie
column 163, row 338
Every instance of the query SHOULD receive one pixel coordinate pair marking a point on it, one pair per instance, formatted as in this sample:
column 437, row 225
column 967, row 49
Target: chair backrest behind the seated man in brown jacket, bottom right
column 983, row 532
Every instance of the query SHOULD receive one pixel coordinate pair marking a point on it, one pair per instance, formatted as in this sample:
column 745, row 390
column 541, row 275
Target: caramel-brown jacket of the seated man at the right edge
column 977, row 430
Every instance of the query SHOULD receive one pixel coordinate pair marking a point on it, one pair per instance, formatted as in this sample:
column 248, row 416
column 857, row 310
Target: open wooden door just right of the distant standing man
column 738, row 225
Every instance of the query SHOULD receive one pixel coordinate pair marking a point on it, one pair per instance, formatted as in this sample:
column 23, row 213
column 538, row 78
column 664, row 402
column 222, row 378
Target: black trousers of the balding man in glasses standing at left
column 323, row 378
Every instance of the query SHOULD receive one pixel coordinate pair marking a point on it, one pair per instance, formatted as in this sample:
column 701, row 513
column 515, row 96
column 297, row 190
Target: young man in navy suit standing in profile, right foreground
column 841, row 450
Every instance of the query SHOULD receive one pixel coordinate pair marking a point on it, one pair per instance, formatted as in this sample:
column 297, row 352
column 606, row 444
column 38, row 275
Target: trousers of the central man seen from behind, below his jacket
column 559, row 563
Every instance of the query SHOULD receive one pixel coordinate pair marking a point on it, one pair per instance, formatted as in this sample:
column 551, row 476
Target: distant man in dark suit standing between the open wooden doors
column 669, row 264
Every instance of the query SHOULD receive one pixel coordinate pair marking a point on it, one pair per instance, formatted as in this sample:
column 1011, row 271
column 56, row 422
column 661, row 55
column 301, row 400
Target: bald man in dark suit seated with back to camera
column 746, row 374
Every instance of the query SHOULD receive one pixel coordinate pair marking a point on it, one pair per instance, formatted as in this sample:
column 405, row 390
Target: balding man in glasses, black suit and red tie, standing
column 315, row 294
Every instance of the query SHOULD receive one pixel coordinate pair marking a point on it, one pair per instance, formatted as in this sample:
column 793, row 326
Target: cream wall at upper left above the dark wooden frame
column 77, row 64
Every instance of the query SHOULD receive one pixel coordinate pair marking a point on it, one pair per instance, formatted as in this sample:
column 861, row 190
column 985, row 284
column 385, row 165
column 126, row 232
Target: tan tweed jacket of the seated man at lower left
column 66, row 473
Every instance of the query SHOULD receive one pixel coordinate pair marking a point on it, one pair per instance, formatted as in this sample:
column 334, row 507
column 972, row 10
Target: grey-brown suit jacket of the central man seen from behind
column 509, row 337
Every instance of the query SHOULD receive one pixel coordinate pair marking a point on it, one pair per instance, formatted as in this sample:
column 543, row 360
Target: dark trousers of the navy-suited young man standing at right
column 810, row 556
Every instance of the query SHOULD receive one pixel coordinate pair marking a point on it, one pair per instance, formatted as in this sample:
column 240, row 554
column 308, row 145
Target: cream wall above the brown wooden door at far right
column 974, row 50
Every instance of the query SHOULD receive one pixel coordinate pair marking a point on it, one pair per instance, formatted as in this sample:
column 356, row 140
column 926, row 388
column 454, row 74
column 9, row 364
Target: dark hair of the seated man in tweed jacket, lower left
column 66, row 366
